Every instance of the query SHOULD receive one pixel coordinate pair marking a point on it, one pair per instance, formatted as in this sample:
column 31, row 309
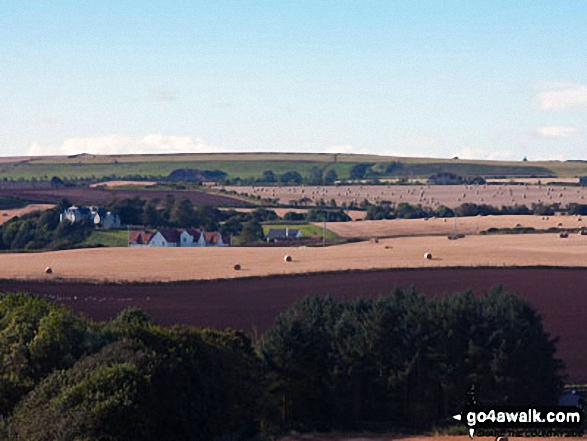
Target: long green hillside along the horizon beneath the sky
column 252, row 165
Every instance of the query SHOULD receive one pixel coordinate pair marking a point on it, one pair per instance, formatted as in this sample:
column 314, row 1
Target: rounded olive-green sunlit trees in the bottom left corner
column 63, row 377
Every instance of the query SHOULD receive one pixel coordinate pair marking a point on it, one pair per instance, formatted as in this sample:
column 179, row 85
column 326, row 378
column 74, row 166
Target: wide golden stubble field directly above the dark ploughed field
column 172, row 264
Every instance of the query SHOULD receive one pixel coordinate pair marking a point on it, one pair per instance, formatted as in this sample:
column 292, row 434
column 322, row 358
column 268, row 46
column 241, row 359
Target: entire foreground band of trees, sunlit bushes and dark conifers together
column 403, row 362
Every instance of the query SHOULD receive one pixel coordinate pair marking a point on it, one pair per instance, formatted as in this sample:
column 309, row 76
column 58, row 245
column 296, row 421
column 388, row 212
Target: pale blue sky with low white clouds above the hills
column 476, row 79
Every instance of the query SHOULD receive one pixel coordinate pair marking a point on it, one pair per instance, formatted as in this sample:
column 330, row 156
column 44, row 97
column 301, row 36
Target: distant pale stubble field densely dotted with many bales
column 427, row 195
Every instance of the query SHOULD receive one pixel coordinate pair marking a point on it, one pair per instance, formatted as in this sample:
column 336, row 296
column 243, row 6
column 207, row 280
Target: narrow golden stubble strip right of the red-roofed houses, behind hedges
column 446, row 226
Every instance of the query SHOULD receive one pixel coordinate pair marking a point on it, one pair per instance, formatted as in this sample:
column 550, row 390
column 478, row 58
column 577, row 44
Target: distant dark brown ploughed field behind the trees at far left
column 103, row 196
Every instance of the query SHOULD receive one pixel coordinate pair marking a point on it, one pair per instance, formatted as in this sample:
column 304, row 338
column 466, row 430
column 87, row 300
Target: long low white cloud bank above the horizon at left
column 119, row 145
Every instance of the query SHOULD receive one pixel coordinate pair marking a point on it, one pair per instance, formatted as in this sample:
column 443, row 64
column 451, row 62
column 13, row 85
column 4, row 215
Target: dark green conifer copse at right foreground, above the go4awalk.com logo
column 406, row 360
